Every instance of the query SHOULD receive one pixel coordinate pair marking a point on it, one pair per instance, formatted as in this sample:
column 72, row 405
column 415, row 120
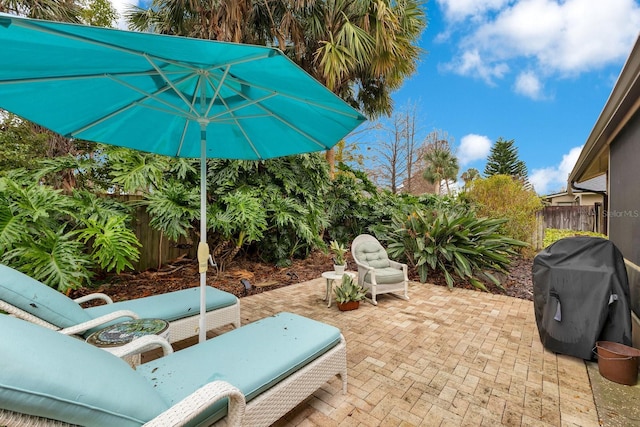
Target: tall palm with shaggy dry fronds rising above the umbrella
column 360, row 49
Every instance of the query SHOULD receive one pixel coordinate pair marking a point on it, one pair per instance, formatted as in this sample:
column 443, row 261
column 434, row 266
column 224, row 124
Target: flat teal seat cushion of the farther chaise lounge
column 169, row 306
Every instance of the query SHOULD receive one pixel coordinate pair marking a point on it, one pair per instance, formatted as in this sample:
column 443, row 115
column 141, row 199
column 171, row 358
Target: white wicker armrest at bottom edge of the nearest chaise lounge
column 198, row 401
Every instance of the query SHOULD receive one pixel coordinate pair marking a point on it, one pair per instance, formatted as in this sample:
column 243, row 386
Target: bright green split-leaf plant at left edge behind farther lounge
column 57, row 238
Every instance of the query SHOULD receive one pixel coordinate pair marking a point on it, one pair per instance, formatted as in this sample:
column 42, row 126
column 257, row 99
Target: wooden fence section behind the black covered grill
column 577, row 218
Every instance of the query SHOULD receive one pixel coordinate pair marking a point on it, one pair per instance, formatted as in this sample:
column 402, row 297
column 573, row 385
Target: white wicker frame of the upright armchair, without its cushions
column 399, row 290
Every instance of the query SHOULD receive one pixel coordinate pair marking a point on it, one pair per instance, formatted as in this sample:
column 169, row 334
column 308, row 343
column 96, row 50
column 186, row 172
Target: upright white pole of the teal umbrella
column 203, row 247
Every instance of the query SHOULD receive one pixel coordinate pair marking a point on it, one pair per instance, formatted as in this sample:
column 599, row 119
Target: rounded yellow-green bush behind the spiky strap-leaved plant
column 502, row 196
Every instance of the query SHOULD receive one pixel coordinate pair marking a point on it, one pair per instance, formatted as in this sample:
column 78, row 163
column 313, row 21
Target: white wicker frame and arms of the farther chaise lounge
column 178, row 329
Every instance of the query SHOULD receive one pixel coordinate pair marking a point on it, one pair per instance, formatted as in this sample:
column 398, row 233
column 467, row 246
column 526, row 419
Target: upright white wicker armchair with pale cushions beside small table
column 376, row 272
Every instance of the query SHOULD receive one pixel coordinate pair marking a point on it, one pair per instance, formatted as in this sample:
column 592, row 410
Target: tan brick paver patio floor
column 444, row 358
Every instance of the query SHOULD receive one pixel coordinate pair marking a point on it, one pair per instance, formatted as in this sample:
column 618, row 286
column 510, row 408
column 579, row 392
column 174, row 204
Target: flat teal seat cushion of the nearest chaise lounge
column 252, row 358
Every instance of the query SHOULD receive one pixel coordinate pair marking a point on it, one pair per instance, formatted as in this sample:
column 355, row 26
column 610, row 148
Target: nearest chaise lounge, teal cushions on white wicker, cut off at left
column 270, row 365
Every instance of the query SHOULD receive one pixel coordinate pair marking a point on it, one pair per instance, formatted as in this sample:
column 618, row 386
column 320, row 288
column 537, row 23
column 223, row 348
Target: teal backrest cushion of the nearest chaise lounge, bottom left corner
column 47, row 374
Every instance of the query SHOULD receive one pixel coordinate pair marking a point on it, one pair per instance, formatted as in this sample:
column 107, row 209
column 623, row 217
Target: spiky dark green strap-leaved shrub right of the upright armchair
column 452, row 241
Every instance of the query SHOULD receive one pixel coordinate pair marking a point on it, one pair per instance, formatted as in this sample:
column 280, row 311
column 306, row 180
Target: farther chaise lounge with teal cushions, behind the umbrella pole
column 31, row 300
